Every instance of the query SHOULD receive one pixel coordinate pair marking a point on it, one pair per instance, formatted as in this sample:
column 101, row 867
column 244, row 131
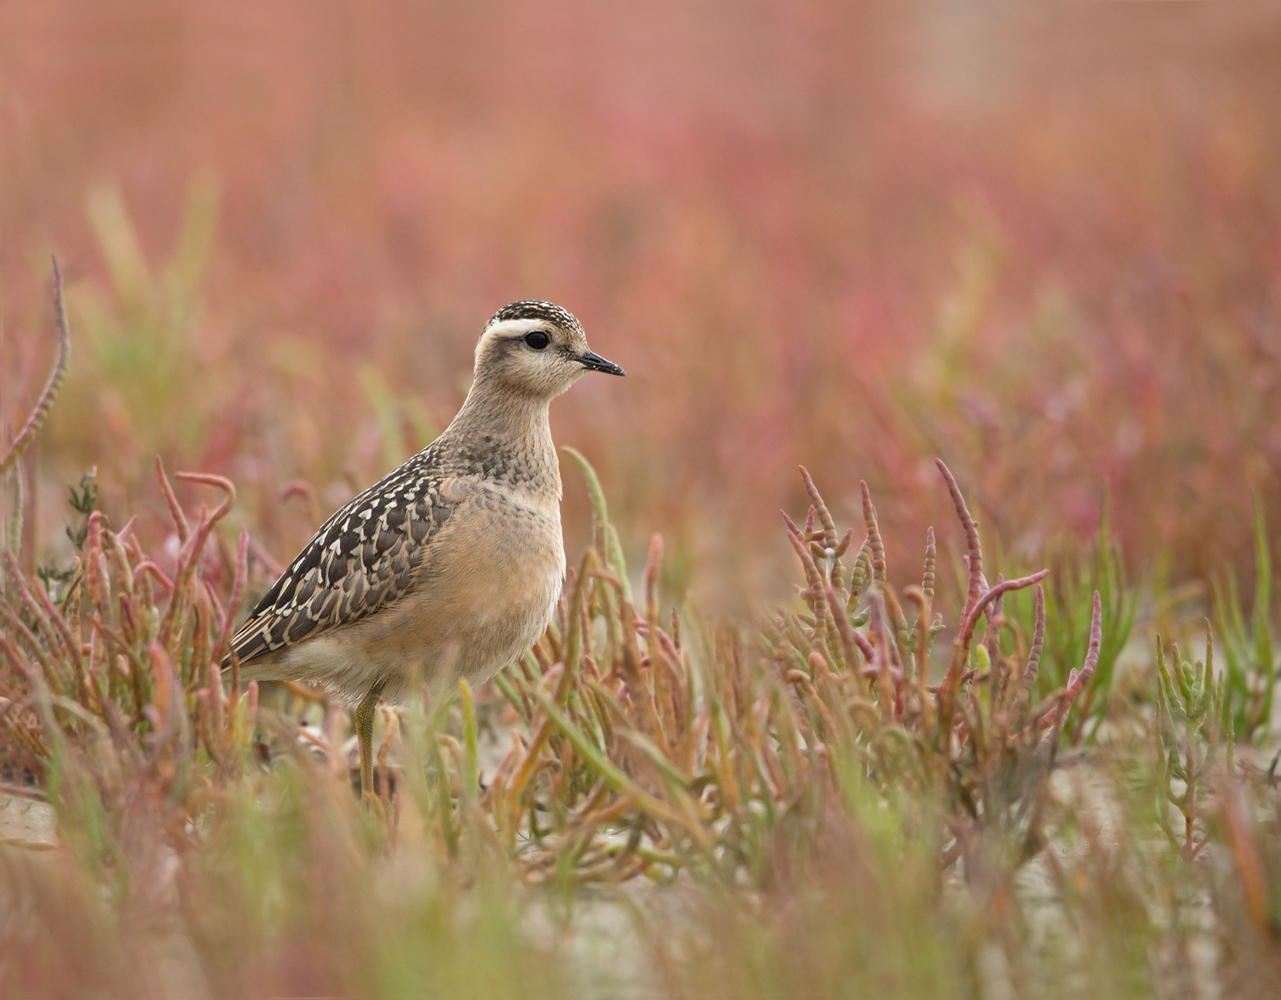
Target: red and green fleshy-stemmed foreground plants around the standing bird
column 847, row 797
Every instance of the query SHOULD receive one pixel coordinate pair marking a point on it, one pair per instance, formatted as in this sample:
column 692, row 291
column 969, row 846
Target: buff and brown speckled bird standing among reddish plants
column 450, row 567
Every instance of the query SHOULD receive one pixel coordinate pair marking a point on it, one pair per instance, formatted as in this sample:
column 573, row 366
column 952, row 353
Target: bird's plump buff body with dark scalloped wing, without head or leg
column 449, row 567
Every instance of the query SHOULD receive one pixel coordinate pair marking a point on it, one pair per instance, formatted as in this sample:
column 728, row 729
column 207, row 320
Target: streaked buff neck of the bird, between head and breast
column 507, row 436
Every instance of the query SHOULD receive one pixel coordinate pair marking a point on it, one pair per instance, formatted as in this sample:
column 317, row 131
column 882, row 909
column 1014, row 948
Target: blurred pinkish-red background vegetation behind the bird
column 1043, row 243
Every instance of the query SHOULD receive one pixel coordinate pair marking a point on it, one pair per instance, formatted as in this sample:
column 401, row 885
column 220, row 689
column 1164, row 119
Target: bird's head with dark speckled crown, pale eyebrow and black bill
column 536, row 349
